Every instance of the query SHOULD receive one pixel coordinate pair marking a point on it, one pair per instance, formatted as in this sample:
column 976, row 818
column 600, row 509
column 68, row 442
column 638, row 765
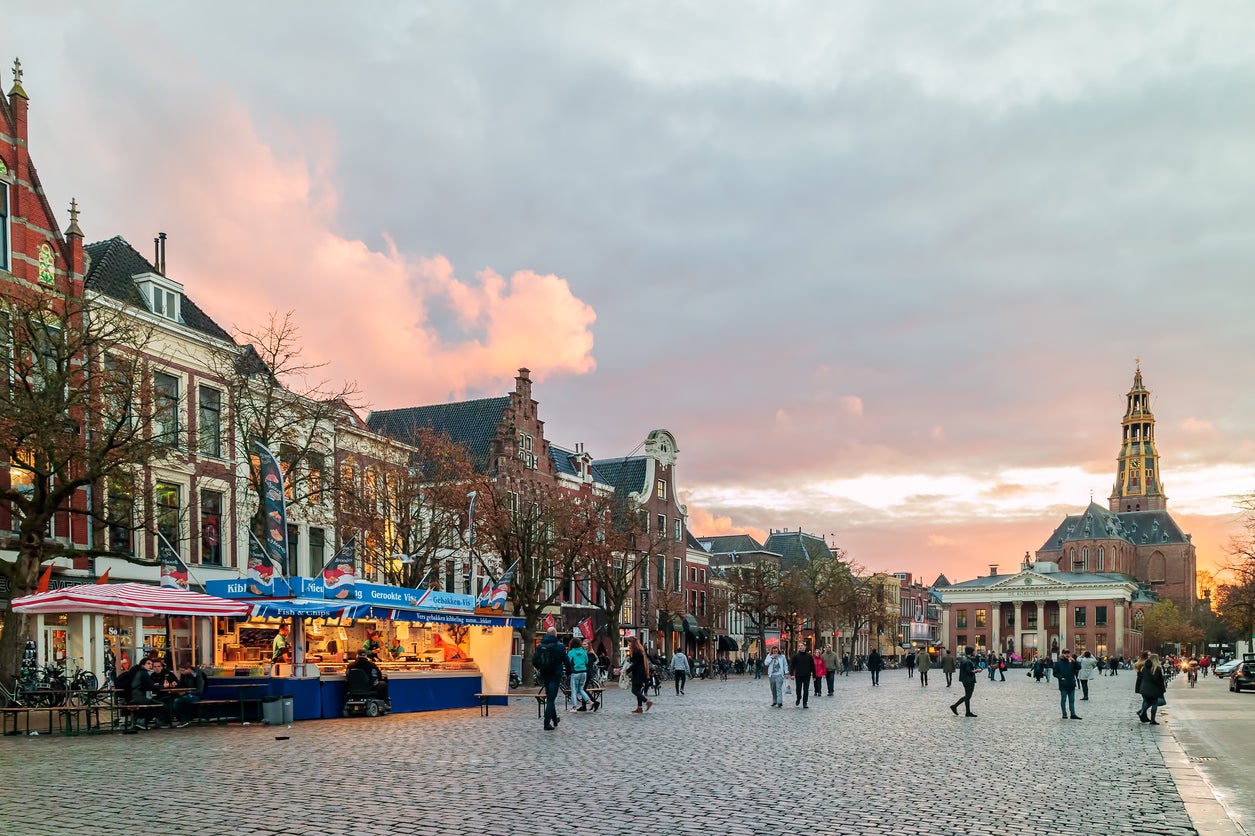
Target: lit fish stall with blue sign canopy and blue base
column 435, row 650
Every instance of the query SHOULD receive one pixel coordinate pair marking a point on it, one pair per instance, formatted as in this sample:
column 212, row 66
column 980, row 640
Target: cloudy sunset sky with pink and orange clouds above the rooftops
column 883, row 269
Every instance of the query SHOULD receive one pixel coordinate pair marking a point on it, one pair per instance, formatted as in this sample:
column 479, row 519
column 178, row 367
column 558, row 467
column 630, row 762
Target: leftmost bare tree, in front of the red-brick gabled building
column 78, row 410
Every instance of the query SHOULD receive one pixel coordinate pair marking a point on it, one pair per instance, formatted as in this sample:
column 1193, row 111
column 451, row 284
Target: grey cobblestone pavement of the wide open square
column 889, row 760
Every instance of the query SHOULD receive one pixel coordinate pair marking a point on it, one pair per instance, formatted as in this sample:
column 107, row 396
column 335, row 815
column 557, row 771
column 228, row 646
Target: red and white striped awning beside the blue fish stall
column 129, row 599
